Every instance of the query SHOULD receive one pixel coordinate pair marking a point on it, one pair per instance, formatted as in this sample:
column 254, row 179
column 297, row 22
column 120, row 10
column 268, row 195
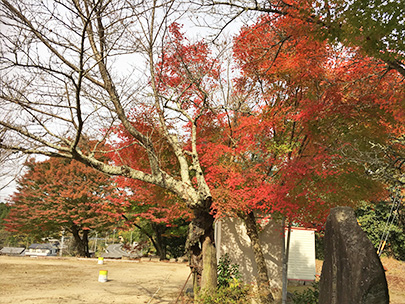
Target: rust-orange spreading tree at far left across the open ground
column 60, row 194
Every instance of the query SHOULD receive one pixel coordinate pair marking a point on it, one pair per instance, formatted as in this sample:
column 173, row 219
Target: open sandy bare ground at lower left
column 53, row 280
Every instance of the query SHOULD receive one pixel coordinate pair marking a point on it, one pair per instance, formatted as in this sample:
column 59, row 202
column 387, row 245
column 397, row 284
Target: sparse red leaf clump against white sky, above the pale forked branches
column 187, row 72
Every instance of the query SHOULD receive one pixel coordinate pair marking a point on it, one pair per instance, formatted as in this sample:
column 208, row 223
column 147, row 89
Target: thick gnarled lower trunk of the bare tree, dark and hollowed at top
column 201, row 246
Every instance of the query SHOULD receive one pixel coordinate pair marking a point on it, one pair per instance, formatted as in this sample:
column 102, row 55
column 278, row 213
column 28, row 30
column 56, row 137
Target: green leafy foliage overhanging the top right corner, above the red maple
column 377, row 26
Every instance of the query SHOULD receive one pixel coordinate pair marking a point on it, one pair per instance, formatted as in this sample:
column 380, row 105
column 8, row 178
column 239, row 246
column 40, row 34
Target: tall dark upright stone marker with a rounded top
column 352, row 272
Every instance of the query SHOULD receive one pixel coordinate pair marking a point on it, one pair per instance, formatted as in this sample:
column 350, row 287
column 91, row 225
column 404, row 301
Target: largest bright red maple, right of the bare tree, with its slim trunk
column 290, row 148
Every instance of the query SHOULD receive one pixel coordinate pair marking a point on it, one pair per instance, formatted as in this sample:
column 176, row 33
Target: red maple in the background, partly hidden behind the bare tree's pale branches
column 148, row 205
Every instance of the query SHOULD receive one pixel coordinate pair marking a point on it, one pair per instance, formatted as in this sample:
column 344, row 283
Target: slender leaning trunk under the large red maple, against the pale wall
column 263, row 285
